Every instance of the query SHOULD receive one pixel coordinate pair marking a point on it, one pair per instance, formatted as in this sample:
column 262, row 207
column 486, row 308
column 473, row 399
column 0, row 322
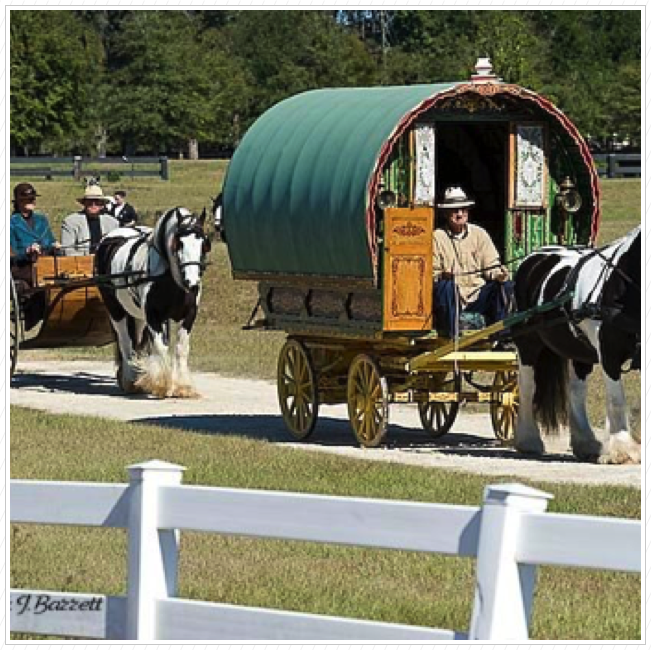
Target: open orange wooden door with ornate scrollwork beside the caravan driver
column 408, row 269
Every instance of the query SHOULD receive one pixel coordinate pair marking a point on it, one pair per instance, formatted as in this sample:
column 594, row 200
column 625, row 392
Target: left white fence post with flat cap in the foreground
column 153, row 553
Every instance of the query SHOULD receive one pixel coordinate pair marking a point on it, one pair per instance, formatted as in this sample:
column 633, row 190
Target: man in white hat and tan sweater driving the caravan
column 468, row 276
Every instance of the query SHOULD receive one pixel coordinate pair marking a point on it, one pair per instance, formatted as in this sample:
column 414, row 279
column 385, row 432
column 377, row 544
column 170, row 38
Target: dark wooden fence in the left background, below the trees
column 77, row 167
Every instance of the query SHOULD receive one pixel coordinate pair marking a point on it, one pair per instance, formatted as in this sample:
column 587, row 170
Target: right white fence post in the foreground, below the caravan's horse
column 504, row 589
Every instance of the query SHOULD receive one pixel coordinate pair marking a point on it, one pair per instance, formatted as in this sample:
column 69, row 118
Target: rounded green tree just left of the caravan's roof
column 173, row 86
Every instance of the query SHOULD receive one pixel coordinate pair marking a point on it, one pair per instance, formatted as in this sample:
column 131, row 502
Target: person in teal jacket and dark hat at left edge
column 30, row 234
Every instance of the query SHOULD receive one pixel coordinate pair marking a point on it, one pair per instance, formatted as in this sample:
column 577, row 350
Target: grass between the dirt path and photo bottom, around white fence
column 380, row 585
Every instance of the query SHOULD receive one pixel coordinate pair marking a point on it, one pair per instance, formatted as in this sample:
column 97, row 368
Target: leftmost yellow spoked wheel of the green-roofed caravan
column 297, row 389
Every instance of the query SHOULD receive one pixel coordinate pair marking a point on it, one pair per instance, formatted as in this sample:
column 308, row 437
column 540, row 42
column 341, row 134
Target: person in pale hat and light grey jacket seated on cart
column 83, row 230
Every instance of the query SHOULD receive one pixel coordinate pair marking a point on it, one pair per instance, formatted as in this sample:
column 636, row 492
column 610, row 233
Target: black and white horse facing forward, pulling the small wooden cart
column 150, row 278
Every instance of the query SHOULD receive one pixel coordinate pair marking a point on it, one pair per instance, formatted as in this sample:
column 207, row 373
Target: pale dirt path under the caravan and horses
column 249, row 408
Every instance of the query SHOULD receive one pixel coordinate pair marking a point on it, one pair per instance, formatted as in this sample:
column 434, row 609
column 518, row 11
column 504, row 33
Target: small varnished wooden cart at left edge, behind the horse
column 59, row 305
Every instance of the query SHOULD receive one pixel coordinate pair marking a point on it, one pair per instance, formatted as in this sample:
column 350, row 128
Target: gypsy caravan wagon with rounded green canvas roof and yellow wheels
column 330, row 205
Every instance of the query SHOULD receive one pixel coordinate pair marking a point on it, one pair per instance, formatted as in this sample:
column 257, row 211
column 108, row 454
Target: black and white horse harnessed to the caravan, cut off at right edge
column 600, row 324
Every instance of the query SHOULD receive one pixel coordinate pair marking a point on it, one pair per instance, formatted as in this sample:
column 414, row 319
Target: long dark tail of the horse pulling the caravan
column 550, row 400
